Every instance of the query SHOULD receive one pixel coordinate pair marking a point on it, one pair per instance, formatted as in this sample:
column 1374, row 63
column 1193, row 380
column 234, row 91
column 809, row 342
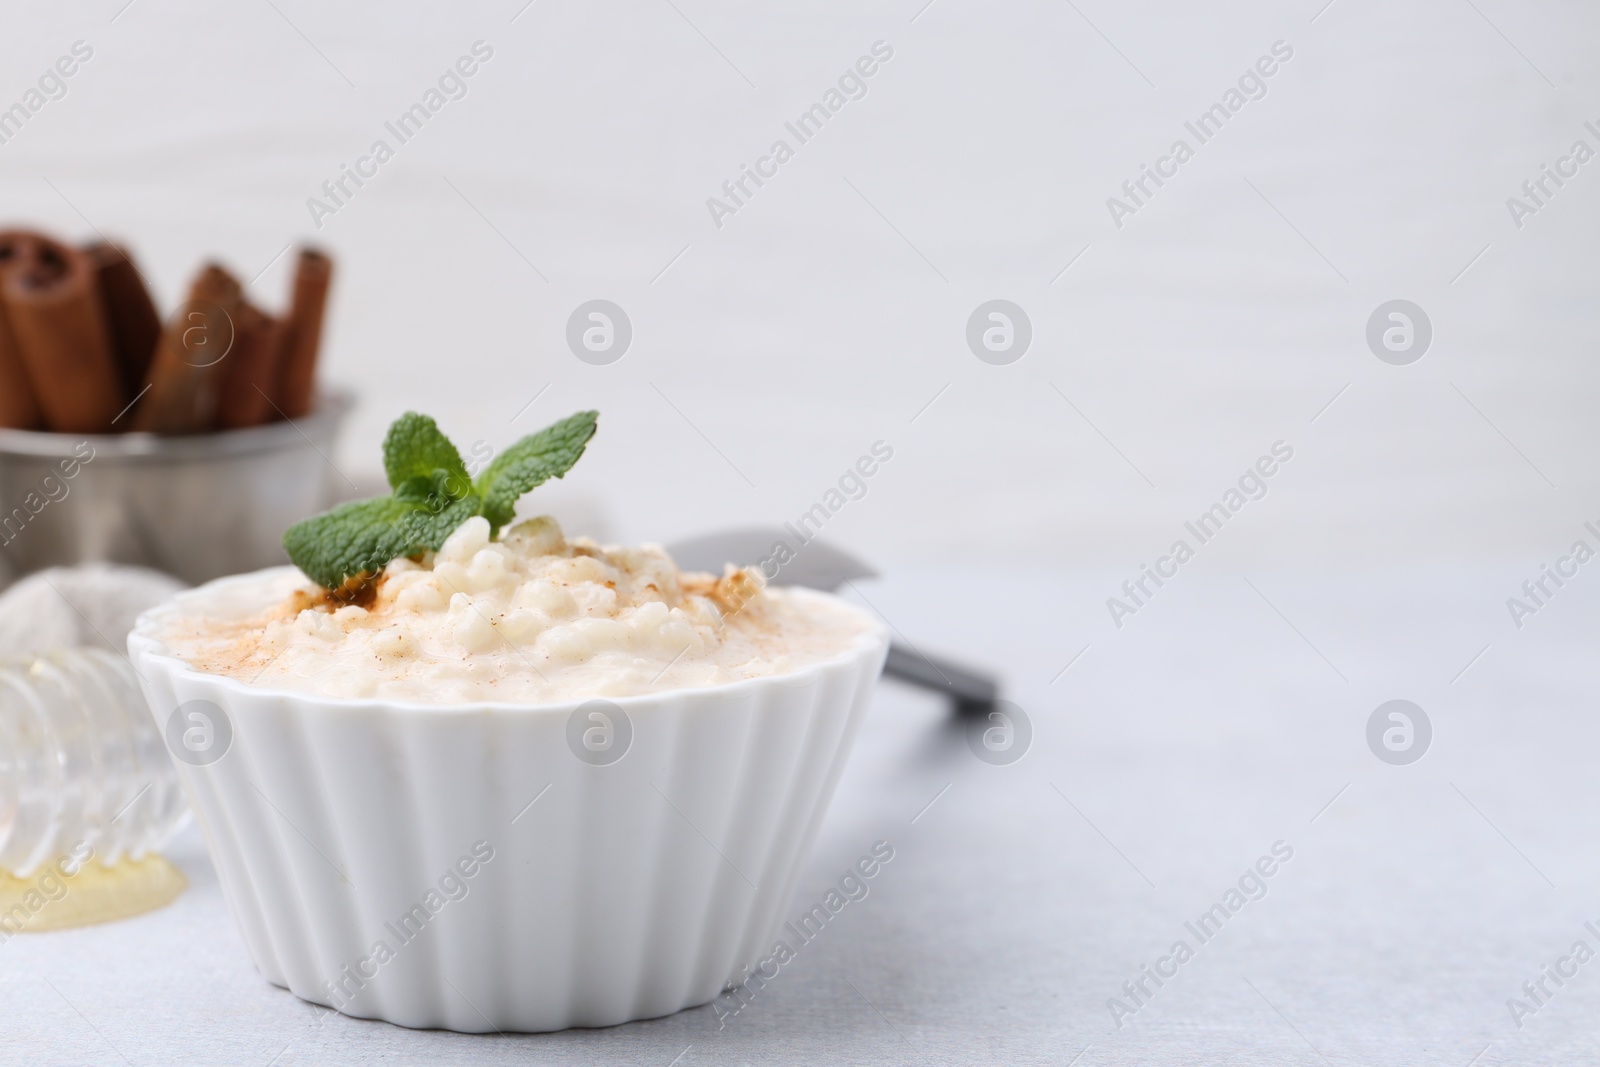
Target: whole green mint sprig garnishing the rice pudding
column 431, row 495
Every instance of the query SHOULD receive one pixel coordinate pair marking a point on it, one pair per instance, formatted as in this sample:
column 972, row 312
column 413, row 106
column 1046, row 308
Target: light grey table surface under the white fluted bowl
column 1228, row 716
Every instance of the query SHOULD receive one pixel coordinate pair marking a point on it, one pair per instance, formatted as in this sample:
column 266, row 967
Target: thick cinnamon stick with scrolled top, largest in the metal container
column 55, row 313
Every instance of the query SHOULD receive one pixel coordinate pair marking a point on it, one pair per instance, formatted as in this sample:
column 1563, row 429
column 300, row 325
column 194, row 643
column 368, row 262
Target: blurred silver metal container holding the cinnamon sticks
column 198, row 508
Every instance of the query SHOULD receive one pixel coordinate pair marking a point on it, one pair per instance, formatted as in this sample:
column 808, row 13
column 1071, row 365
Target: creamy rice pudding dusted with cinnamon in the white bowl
column 529, row 618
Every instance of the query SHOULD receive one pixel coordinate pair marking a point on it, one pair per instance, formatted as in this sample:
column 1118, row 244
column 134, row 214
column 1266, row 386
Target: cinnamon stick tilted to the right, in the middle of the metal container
column 191, row 359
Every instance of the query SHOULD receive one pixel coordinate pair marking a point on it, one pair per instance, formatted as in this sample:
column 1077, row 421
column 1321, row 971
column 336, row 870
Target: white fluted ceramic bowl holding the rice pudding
column 623, row 892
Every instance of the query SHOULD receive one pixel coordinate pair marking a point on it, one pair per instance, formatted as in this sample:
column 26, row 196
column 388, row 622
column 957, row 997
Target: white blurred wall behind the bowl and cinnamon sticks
column 806, row 329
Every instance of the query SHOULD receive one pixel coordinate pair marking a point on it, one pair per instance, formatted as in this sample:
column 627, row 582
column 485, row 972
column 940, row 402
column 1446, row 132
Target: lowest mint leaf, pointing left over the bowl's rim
column 362, row 537
